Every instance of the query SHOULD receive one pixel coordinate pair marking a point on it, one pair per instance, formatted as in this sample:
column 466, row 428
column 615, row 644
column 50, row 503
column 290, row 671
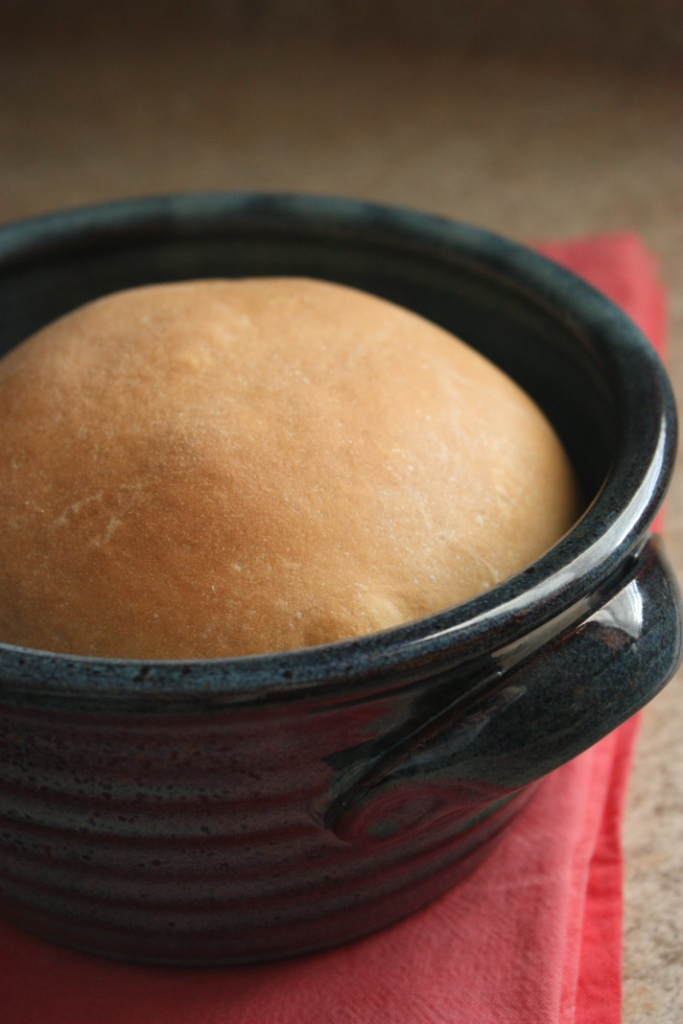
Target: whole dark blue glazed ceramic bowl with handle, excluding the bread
column 229, row 812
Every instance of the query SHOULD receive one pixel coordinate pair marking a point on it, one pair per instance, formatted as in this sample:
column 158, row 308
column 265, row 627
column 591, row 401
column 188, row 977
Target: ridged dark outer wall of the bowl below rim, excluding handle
column 191, row 839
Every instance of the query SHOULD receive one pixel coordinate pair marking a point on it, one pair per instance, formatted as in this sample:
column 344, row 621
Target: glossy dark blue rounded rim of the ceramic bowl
column 568, row 576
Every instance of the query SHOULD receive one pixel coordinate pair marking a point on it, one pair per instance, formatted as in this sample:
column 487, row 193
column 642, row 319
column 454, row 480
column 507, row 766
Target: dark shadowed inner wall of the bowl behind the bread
column 513, row 328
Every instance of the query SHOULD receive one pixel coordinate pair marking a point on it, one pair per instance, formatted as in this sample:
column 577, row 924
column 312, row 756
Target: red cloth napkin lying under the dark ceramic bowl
column 532, row 937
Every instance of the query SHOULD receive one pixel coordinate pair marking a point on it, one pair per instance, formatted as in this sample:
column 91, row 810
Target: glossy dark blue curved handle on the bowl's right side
column 570, row 694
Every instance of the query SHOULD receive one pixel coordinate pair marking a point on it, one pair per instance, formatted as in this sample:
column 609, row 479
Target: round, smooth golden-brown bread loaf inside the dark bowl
column 221, row 468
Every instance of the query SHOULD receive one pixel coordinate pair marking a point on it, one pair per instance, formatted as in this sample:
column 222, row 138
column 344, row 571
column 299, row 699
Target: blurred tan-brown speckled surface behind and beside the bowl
column 543, row 119
